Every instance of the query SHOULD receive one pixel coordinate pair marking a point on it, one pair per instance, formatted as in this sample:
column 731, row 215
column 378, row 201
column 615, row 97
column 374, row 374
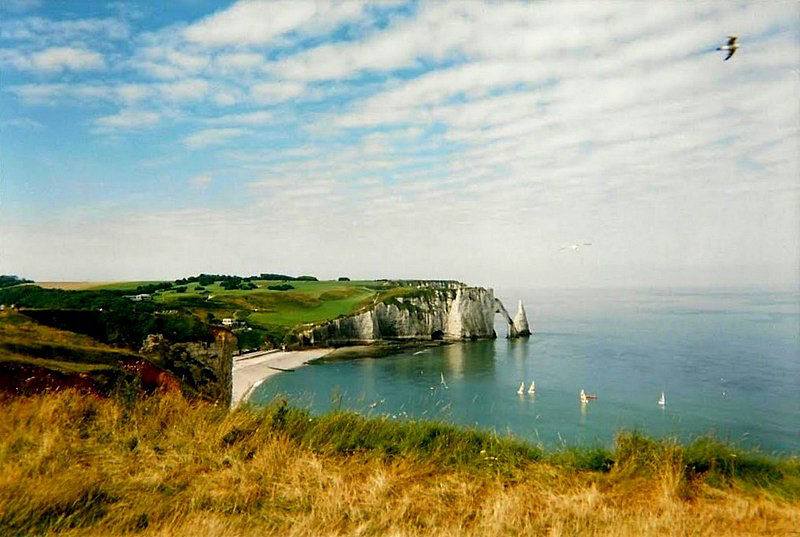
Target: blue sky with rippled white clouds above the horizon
column 463, row 140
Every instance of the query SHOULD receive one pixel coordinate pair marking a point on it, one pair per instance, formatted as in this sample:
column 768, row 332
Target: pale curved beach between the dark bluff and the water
column 250, row 370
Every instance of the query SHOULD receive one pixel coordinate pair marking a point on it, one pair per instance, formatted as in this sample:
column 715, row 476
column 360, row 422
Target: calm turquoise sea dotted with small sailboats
column 728, row 361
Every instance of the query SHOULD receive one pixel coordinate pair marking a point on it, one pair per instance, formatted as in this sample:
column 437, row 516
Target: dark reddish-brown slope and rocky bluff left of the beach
column 35, row 358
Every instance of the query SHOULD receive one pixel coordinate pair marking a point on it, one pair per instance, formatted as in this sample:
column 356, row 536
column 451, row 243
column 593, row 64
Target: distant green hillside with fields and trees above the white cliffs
column 263, row 312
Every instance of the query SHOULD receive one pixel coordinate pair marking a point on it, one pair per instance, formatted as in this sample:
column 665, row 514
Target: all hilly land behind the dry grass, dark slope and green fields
column 103, row 337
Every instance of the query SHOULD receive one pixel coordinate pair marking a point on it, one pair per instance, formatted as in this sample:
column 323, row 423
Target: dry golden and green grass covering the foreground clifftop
column 78, row 465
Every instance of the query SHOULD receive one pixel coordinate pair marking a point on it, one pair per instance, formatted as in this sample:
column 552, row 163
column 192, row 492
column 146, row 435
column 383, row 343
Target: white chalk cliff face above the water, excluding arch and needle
column 436, row 313
